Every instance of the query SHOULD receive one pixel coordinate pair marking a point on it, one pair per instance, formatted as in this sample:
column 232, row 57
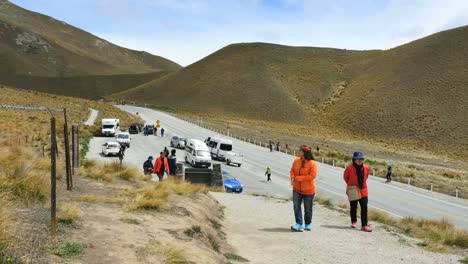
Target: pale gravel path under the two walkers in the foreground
column 259, row 228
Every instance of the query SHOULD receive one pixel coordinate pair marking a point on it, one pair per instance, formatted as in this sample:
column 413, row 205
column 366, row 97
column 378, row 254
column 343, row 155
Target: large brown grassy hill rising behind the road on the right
column 414, row 92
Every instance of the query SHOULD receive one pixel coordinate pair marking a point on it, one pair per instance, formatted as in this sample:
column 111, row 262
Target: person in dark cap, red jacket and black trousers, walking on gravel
column 356, row 175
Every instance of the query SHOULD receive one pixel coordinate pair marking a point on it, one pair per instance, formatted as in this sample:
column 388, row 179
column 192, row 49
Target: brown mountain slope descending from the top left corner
column 35, row 44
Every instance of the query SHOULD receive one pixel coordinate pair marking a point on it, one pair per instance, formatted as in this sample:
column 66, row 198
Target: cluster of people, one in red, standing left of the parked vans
column 165, row 164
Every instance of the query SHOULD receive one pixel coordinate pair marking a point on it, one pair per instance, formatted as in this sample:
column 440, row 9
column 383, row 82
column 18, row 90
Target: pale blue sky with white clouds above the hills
column 185, row 31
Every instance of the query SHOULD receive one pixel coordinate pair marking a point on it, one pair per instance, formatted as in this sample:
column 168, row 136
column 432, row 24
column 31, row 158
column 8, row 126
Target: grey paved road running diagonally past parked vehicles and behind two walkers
column 396, row 199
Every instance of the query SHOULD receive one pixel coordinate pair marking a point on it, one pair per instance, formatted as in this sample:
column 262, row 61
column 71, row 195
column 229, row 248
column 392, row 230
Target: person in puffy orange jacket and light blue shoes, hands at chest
column 303, row 174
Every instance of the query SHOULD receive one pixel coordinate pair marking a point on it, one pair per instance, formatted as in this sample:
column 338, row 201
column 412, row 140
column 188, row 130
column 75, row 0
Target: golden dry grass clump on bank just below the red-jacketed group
column 156, row 196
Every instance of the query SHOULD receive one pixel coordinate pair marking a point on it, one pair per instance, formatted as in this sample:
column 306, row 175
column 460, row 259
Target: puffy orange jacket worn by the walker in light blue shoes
column 304, row 178
